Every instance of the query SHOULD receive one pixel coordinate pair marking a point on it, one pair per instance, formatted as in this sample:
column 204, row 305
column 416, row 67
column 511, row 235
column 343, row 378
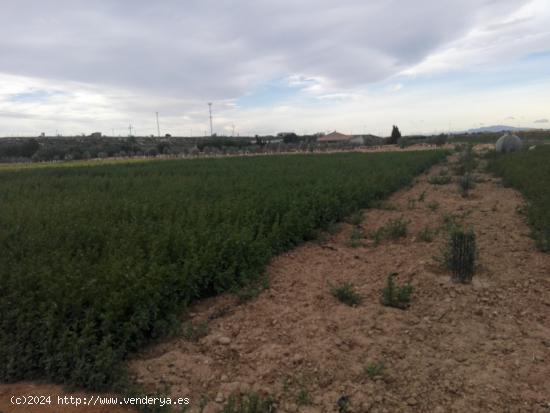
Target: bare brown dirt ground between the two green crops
column 483, row 347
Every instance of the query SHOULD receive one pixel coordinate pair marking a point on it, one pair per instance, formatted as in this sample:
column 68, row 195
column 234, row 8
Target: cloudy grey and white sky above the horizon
column 429, row 66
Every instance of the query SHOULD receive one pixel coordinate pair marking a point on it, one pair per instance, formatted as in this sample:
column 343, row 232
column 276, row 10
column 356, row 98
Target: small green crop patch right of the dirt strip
column 529, row 171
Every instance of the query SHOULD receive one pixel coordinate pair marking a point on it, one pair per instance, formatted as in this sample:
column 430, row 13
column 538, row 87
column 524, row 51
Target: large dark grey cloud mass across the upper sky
column 219, row 49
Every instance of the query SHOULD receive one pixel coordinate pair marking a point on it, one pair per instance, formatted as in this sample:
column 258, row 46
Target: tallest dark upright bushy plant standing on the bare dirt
column 461, row 255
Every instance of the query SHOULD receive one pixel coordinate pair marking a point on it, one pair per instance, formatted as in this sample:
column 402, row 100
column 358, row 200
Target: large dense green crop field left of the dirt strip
column 97, row 260
